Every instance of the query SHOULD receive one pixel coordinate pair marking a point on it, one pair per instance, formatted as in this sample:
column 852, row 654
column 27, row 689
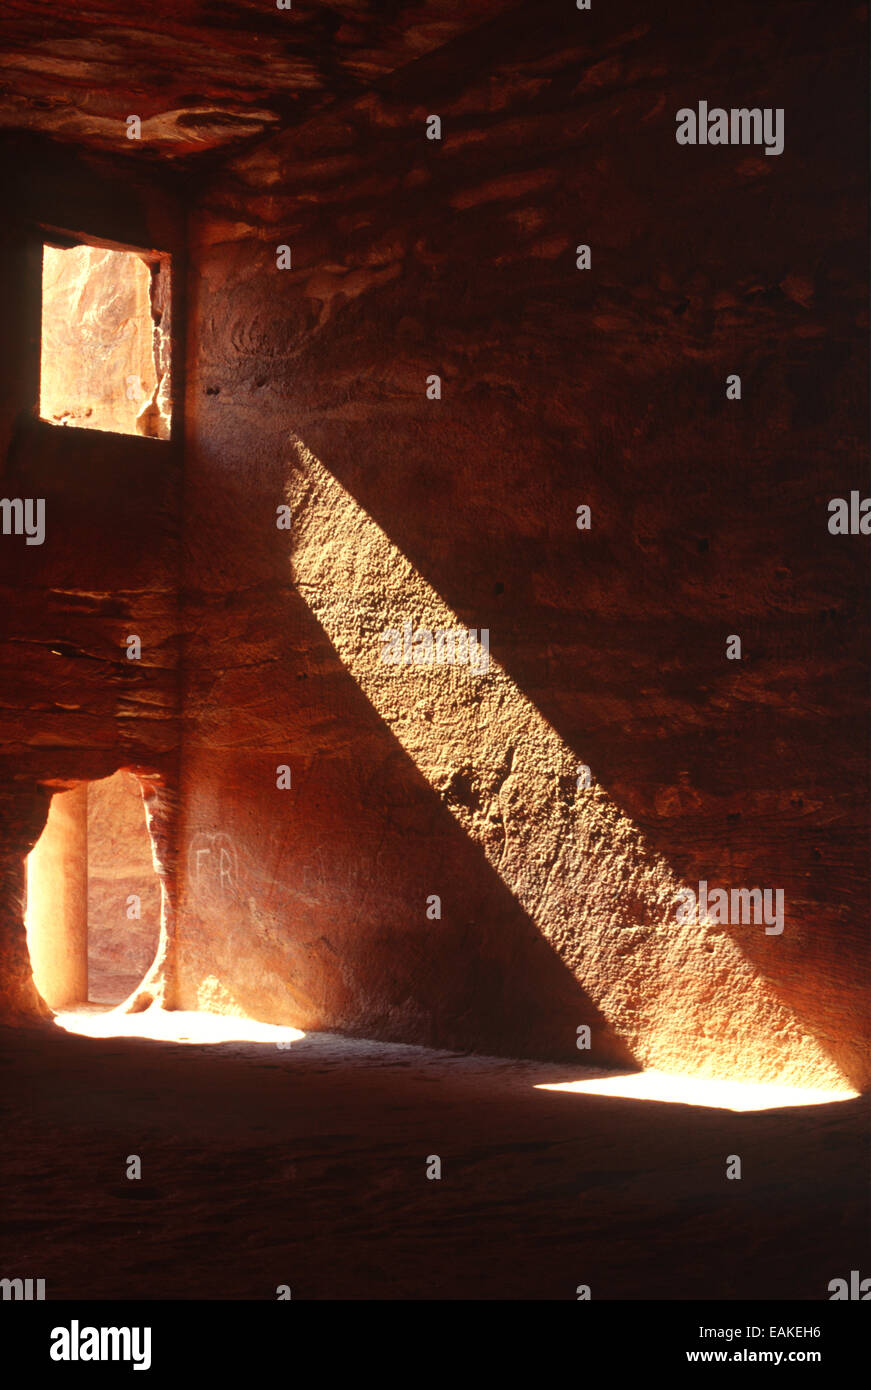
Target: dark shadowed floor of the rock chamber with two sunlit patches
column 302, row 1160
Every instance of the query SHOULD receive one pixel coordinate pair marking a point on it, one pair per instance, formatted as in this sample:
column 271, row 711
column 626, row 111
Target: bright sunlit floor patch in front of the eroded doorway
column 174, row 1027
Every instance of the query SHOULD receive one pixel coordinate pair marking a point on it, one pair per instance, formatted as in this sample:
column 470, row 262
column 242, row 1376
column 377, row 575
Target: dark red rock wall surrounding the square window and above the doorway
column 73, row 705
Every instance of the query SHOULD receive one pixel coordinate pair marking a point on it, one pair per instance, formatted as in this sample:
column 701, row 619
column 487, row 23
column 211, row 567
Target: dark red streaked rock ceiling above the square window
column 206, row 74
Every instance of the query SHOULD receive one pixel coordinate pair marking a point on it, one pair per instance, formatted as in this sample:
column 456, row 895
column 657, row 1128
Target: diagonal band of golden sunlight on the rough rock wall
column 681, row 995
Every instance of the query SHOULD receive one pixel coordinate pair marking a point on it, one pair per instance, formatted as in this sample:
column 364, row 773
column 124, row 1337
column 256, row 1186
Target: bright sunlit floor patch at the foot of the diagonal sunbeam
column 695, row 1090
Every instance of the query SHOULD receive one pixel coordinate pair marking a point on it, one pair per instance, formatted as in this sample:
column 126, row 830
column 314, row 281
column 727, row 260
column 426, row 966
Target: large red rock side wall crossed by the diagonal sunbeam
column 559, row 389
